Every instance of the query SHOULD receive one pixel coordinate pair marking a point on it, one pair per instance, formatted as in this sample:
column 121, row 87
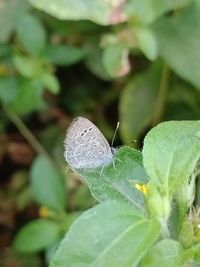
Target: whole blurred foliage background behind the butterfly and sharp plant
column 133, row 61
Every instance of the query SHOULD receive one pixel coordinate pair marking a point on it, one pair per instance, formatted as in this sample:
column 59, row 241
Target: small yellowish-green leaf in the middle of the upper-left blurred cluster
column 27, row 66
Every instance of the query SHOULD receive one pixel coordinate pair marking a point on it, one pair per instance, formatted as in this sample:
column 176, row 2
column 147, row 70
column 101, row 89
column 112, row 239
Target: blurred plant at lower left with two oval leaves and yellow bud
column 48, row 189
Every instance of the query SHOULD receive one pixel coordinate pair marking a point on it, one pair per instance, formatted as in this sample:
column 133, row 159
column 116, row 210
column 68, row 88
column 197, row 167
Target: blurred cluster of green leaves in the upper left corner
column 27, row 66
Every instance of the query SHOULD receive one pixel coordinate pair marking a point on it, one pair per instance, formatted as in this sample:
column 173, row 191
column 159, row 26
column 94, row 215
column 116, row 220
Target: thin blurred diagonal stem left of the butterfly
column 26, row 133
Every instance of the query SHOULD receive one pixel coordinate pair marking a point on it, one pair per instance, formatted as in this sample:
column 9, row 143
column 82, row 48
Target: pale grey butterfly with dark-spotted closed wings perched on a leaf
column 85, row 145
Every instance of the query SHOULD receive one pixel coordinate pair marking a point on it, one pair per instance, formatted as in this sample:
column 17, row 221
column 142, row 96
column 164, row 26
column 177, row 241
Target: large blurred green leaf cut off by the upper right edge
column 181, row 54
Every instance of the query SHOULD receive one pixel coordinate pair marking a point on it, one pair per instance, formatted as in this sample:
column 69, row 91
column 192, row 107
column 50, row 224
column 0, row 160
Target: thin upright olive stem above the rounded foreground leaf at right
column 161, row 95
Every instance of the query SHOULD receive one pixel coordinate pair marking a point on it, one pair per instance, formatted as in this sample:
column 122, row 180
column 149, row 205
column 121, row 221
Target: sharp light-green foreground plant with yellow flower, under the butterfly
column 156, row 225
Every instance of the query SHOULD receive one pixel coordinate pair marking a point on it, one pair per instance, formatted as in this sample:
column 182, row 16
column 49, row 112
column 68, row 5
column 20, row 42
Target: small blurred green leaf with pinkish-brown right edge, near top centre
column 115, row 60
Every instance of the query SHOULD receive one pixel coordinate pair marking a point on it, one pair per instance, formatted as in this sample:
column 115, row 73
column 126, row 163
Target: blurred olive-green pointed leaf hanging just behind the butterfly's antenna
column 137, row 103
